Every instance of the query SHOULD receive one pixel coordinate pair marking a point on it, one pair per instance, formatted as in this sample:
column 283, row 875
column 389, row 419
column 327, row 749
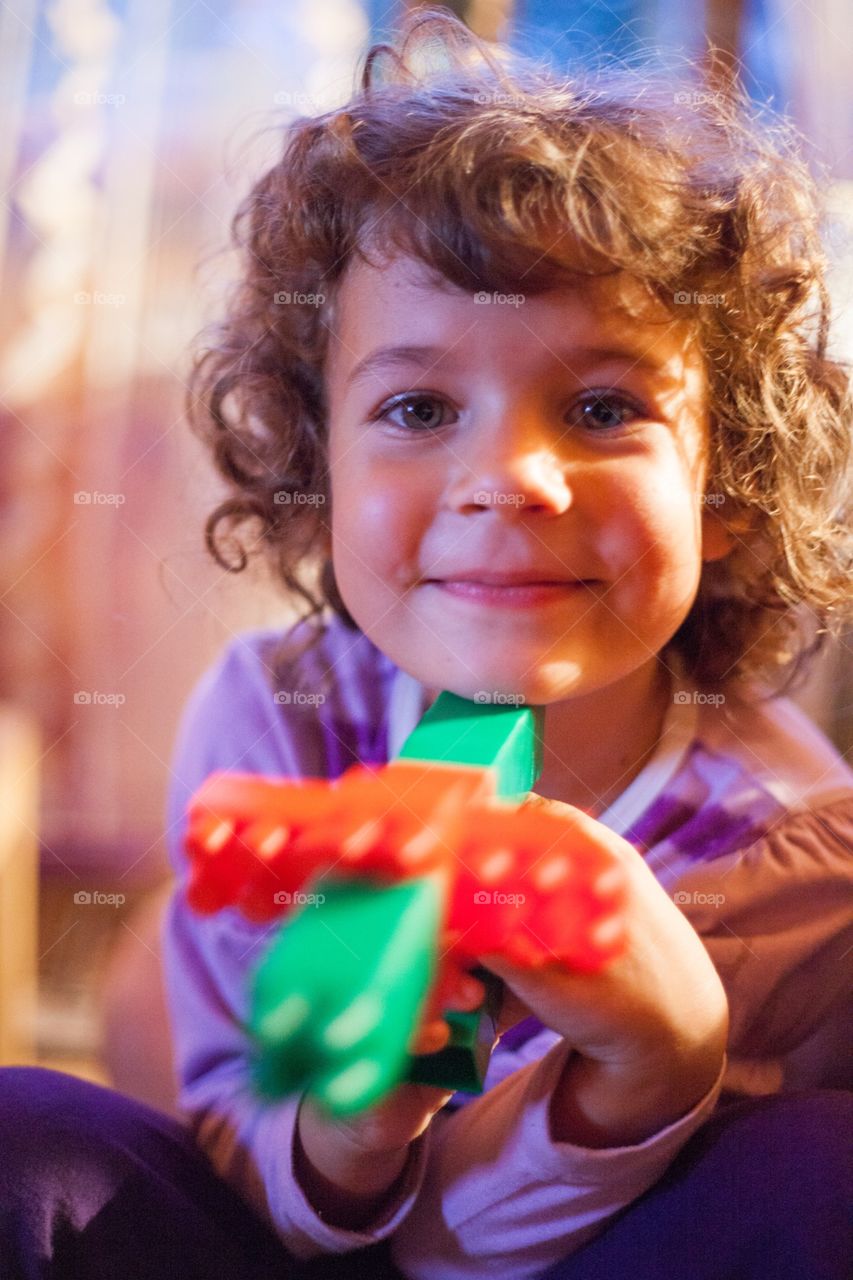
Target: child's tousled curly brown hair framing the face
column 467, row 157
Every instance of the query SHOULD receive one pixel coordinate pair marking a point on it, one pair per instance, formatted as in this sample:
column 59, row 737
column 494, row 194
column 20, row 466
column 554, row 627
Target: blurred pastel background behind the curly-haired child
column 130, row 132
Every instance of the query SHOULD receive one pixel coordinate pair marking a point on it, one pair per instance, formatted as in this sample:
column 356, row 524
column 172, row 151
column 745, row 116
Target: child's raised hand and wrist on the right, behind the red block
column 649, row 1031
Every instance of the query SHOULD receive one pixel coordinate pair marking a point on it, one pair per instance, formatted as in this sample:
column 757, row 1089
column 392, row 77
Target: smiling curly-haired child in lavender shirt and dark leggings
column 626, row 505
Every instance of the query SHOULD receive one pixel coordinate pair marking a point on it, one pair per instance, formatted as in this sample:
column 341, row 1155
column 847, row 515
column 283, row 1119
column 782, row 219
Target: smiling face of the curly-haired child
column 466, row 441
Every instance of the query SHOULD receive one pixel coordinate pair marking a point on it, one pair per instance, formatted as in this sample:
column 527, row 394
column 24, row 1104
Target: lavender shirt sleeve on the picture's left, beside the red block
column 232, row 721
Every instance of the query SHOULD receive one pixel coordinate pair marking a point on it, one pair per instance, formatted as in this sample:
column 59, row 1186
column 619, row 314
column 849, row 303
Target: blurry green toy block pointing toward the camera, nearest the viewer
column 357, row 970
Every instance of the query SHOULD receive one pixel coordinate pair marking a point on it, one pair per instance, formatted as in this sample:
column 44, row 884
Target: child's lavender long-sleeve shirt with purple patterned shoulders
column 745, row 815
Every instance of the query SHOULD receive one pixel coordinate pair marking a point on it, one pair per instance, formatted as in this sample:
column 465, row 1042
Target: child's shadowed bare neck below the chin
column 595, row 746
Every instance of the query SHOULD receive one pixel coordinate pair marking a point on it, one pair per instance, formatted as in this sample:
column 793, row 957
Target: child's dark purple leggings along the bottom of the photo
column 98, row 1187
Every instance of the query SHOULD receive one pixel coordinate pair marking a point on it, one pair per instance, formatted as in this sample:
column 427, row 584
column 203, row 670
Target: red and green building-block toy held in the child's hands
column 390, row 881
